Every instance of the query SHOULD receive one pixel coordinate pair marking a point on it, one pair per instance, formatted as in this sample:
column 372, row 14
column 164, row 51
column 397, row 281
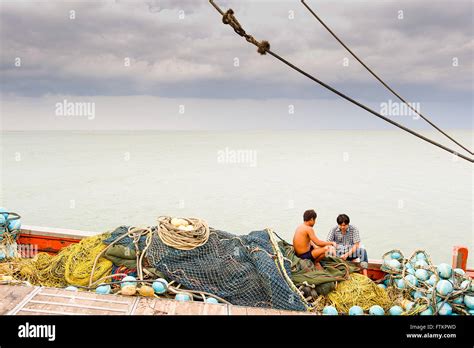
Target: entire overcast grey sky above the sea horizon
column 174, row 65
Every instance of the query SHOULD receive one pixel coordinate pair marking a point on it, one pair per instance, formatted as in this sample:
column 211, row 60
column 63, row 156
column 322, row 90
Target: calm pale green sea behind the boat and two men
column 400, row 193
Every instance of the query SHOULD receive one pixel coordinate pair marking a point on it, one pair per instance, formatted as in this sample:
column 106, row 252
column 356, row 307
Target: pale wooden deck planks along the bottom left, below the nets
column 22, row 300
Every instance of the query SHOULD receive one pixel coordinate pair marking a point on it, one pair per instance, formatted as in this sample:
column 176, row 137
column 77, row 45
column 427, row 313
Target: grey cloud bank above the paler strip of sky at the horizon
column 195, row 56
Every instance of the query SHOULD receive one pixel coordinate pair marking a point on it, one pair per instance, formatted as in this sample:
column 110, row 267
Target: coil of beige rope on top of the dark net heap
column 176, row 238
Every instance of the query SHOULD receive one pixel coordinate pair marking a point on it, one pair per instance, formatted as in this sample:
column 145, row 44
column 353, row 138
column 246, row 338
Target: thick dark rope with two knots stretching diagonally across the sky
column 264, row 45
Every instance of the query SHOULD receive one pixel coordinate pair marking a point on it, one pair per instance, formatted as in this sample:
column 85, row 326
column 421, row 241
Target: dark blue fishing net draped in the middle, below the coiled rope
column 245, row 270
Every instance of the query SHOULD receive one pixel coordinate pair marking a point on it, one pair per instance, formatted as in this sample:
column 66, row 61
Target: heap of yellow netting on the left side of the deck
column 71, row 266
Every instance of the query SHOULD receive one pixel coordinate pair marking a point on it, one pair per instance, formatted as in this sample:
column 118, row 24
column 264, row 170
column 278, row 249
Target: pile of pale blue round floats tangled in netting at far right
column 421, row 287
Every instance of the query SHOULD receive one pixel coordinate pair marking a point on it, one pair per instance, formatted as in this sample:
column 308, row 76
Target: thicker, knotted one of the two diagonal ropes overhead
column 353, row 101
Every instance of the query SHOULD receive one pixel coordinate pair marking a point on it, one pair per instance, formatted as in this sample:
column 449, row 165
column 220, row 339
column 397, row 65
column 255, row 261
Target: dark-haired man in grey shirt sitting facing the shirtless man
column 347, row 241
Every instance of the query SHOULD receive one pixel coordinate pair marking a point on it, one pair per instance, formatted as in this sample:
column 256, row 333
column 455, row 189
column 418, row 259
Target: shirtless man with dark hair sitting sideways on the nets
column 305, row 242
